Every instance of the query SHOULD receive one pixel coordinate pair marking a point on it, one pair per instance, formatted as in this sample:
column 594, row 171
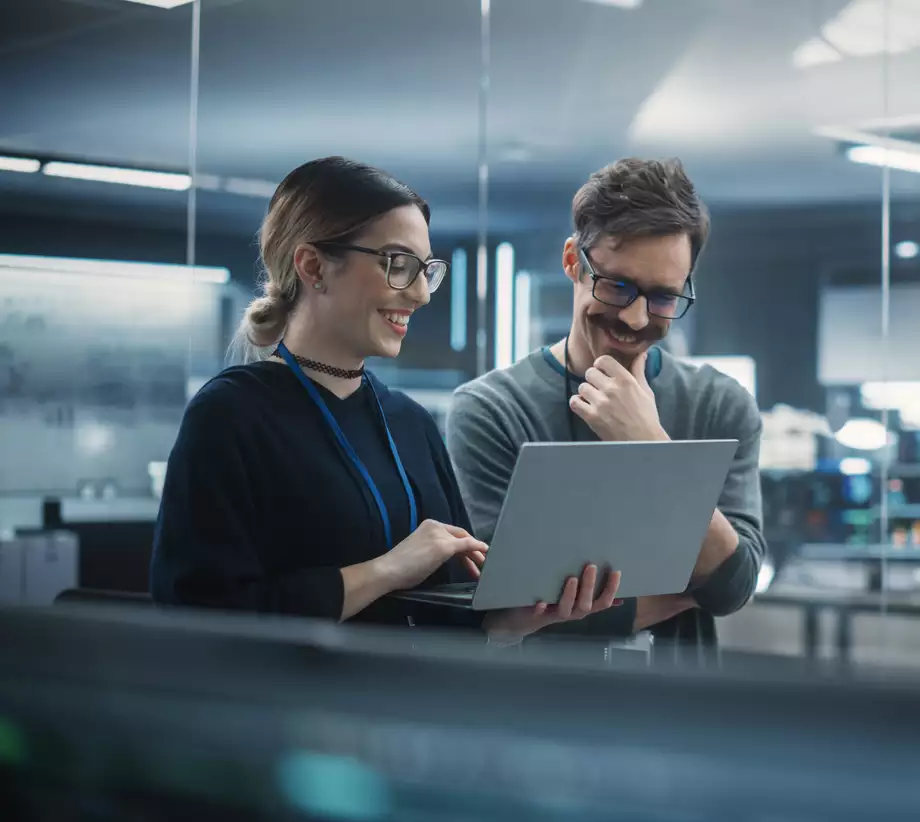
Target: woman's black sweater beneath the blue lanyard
column 261, row 508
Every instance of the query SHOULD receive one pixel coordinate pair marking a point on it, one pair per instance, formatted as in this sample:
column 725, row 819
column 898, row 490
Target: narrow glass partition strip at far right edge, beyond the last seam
column 892, row 141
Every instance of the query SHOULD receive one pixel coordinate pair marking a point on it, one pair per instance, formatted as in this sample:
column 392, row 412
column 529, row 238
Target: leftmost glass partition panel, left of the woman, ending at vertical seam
column 94, row 309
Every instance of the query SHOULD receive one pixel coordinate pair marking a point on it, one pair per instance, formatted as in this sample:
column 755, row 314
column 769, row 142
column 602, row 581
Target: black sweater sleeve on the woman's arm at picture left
column 207, row 540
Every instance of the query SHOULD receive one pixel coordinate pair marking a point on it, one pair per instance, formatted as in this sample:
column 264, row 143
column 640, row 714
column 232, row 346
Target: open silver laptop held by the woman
column 641, row 508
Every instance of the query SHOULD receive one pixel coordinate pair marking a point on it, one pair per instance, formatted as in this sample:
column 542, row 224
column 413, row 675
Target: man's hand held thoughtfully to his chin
column 618, row 404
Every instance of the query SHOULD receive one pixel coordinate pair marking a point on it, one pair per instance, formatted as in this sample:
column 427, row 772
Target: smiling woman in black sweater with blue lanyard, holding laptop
column 298, row 483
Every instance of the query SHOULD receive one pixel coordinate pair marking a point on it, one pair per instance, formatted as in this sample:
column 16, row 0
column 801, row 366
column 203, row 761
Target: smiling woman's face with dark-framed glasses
column 366, row 315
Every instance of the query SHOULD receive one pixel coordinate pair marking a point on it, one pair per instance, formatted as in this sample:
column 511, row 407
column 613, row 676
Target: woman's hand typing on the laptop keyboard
column 425, row 550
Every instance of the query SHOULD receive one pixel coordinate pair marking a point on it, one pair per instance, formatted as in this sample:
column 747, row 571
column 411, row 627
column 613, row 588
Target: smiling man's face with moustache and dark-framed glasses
column 657, row 266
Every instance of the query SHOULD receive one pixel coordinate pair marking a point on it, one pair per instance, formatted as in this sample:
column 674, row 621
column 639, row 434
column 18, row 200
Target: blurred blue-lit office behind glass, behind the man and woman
column 139, row 145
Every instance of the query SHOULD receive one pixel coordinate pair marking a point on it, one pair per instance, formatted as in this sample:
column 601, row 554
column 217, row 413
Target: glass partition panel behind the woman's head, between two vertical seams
column 394, row 85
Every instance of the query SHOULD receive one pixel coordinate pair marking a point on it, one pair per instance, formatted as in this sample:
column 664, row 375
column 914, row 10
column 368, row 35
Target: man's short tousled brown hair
column 640, row 198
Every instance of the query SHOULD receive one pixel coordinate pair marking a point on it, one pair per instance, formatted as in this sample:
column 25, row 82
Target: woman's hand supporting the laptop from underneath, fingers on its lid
column 577, row 602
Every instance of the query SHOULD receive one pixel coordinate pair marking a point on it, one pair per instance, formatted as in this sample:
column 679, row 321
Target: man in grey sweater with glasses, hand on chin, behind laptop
column 639, row 229
